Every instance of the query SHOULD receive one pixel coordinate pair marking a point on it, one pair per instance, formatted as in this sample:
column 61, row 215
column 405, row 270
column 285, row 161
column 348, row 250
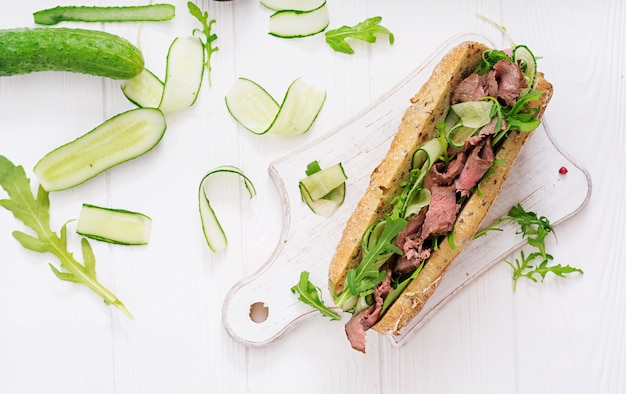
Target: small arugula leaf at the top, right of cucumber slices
column 365, row 31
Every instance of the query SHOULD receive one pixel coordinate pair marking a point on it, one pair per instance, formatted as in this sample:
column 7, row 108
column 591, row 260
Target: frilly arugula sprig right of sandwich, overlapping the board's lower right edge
column 534, row 229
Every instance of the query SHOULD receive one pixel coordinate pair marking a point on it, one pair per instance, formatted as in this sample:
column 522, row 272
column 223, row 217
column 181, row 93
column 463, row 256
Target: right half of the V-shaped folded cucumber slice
column 302, row 104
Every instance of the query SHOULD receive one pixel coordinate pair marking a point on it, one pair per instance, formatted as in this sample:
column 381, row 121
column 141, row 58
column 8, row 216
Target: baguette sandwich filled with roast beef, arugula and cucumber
column 446, row 165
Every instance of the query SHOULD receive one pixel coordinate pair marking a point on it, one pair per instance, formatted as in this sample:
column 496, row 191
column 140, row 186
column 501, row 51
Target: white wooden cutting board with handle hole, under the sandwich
column 308, row 241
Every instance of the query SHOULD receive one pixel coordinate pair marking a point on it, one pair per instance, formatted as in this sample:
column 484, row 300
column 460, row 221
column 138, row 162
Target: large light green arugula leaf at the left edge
column 34, row 213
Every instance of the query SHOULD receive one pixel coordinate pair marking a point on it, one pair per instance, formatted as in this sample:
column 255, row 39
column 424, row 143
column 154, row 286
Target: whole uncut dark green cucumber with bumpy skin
column 93, row 52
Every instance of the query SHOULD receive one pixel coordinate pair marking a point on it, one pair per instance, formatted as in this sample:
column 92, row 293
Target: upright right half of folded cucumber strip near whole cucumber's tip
column 185, row 69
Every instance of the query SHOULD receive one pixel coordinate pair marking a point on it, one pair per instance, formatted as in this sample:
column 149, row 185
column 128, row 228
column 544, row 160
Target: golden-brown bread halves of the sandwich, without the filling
column 428, row 108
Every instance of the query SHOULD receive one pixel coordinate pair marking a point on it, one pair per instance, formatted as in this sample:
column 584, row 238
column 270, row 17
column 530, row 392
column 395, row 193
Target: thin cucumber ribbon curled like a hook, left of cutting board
column 213, row 232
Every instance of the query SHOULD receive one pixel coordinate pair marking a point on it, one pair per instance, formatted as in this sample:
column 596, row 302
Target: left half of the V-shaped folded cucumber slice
column 251, row 106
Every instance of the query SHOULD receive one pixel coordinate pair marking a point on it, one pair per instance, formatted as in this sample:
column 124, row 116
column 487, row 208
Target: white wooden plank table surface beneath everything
column 563, row 335
